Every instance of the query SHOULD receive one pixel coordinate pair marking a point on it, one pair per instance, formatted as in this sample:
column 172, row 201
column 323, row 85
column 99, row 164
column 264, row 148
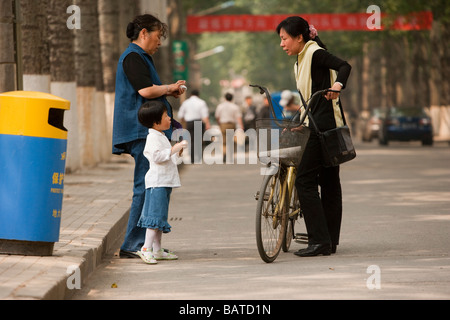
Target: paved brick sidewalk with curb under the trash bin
column 94, row 216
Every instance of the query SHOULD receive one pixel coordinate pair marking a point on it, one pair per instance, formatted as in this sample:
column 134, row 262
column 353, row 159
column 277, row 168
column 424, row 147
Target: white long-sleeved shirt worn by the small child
column 163, row 166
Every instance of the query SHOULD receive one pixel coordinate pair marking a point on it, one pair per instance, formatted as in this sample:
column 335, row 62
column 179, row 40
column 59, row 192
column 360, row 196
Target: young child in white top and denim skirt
column 159, row 180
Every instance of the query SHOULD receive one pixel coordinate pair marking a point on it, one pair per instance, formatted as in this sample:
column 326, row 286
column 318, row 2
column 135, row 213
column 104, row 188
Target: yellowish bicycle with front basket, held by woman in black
column 278, row 208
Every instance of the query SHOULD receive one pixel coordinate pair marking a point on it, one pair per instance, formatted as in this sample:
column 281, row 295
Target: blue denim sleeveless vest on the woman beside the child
column 126, row 126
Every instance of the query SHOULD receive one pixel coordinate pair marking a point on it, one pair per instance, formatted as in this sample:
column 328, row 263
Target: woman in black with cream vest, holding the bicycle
column 317, row 69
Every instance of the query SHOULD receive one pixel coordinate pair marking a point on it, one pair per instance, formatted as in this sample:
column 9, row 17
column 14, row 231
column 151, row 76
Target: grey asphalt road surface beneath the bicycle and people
column 394, row 242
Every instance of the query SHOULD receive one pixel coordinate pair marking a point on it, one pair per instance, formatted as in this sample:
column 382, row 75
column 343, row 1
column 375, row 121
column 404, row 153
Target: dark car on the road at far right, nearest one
column 406, row 124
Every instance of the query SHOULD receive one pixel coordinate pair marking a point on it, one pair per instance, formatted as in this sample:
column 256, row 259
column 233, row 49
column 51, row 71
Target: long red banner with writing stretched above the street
column 322, row 22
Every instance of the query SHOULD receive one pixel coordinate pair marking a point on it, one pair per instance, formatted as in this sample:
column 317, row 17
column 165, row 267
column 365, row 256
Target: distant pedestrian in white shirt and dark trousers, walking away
column 195, row 111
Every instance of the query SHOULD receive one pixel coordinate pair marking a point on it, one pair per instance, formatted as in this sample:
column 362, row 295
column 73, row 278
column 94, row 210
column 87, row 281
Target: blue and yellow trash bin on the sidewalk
column 33, row 144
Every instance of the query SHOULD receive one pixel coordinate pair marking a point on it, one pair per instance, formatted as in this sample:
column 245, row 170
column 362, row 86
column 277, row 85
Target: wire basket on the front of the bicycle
column 281, row 140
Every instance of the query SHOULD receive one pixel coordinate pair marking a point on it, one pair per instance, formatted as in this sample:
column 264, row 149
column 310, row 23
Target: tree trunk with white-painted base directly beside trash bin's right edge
column 62, row 66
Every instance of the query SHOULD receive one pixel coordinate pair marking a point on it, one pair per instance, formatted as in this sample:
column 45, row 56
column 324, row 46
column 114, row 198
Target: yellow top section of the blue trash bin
column 35, row 114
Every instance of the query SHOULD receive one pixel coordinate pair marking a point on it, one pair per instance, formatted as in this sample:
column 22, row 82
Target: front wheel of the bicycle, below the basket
column 271, row 219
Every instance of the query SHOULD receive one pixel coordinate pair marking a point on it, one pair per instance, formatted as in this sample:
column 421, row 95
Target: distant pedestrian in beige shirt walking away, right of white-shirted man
column 228, row 116
